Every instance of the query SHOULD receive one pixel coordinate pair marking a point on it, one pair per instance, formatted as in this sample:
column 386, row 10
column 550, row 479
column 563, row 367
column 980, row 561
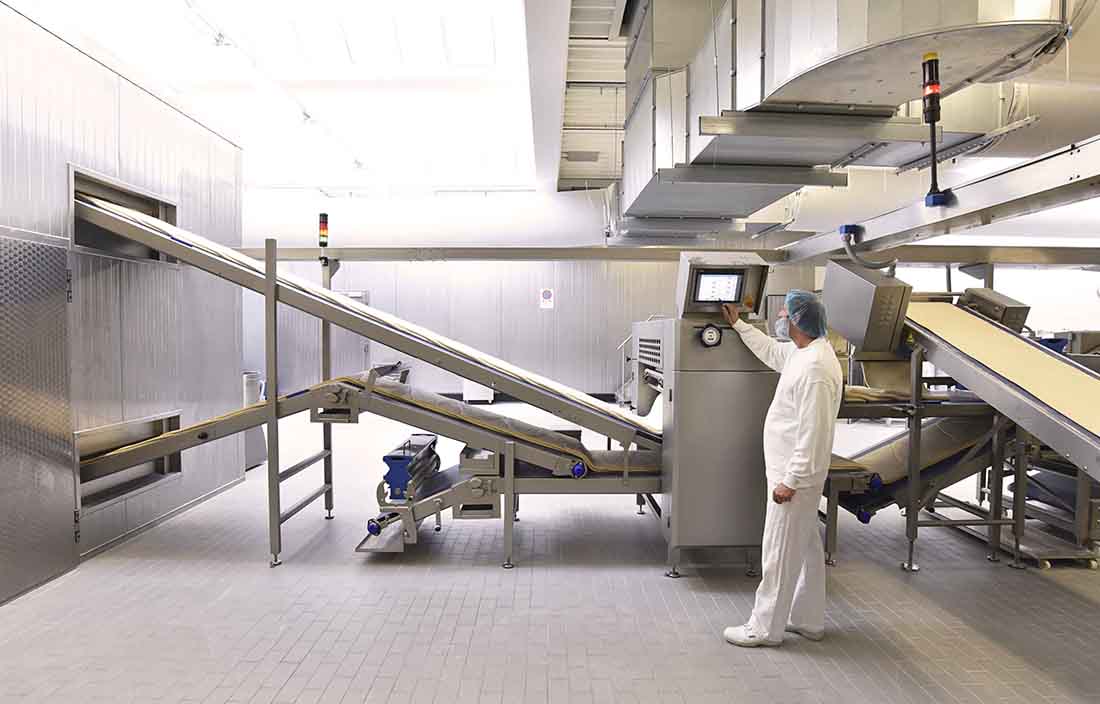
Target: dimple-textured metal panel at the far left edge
column 37, row 486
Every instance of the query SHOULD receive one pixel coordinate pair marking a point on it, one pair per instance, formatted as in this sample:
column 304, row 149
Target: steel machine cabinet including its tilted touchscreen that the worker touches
column 713, row 394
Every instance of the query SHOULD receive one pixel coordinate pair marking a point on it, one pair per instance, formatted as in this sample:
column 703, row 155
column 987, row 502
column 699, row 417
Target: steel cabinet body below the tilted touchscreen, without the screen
column 714, row 402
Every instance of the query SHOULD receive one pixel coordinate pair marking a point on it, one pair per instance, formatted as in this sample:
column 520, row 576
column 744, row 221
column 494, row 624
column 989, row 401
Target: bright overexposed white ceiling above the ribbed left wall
column 362, row 96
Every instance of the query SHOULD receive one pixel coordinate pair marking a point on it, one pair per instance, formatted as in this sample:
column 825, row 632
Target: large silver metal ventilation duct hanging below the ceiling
column 815, row 85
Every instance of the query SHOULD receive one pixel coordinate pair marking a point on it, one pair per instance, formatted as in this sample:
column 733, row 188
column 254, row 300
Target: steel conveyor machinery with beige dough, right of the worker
column 1011, row 380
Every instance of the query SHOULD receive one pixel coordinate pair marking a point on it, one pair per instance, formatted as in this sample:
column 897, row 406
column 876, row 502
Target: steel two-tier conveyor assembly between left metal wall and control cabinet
column 503, row 458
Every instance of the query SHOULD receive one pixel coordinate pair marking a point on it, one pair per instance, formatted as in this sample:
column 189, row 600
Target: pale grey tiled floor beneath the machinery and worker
column 190, row 612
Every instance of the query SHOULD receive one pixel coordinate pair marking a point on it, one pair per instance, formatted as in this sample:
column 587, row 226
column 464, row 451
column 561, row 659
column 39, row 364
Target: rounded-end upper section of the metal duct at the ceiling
column 813, row 56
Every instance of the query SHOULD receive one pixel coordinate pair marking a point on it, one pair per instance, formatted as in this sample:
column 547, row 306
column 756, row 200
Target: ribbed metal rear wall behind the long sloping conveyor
column 493, row 307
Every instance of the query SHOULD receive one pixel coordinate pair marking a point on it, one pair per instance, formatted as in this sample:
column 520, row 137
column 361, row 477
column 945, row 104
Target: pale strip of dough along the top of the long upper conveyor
column 377, row 316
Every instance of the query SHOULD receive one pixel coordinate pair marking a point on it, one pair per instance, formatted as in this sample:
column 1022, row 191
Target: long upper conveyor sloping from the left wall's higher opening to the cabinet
column 405, row 337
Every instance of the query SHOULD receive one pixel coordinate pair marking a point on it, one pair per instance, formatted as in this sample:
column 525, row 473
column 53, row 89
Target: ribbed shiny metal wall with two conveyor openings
column 145, row 337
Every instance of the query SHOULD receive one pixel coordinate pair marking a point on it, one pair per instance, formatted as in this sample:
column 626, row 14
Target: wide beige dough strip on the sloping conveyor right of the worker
column 1070, row 391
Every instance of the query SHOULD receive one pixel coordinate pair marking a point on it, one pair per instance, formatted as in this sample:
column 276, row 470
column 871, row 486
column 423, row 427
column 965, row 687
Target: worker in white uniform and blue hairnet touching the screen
column 798, row 446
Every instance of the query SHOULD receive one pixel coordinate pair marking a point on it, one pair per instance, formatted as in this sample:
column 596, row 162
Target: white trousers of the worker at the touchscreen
column 793, row 586
